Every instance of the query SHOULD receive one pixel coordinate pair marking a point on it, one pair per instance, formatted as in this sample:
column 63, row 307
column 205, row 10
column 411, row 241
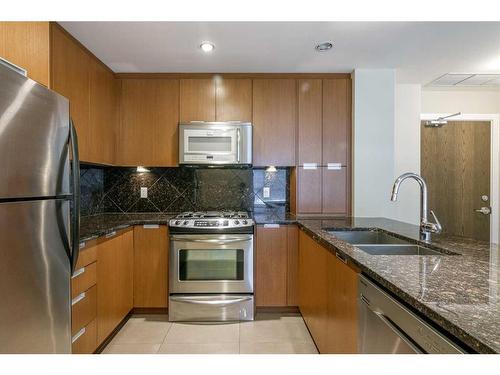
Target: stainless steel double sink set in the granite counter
column 376, row 242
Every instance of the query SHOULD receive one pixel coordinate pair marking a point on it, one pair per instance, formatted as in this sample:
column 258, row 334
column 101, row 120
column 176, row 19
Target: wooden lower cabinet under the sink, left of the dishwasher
column 327, row 297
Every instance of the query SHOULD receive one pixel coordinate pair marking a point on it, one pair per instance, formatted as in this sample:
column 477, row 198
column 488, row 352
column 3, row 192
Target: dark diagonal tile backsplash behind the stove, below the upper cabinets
column 117, row 189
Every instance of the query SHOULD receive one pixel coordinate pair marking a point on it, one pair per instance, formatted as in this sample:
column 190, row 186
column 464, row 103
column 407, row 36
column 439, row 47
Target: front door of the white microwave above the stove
column 212, row 145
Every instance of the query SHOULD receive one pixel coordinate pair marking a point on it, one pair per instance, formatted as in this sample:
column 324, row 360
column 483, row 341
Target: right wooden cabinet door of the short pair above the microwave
column 233, row 99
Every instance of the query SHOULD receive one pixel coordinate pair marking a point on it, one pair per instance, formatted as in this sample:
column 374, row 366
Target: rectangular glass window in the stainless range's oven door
column 211, row 264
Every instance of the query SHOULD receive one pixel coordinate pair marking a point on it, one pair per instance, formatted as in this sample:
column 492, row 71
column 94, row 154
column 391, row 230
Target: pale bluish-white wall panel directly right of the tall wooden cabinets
column 373, row 141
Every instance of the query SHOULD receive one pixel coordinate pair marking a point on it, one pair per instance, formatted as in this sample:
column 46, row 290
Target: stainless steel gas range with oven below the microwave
column 211, row 266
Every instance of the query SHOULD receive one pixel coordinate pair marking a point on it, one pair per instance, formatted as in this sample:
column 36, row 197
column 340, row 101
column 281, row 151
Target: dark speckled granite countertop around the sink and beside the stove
column 459, row 293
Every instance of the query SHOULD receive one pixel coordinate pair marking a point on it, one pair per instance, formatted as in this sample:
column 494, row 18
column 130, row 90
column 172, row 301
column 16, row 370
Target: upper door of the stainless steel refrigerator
column 34, row 129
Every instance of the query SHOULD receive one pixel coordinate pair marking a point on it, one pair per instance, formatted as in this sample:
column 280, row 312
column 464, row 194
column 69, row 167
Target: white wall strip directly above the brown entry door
column 451, row 101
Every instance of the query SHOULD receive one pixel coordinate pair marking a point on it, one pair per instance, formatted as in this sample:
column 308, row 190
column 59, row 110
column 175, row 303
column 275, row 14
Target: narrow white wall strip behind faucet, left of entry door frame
column 407, row 150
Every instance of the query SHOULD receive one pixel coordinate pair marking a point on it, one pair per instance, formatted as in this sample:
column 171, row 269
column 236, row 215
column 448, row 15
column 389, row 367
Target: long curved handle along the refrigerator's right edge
column 75, row 217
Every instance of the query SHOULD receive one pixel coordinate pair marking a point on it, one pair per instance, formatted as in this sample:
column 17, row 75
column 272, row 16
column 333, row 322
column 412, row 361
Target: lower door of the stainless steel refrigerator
column 35, row 315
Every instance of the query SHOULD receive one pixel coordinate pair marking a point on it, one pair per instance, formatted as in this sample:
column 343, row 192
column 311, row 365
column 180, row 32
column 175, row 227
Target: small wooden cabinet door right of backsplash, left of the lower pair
column 309, row 188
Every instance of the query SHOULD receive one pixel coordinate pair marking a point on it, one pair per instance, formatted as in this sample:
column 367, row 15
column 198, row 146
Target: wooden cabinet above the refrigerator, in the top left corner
column 26, row 44
